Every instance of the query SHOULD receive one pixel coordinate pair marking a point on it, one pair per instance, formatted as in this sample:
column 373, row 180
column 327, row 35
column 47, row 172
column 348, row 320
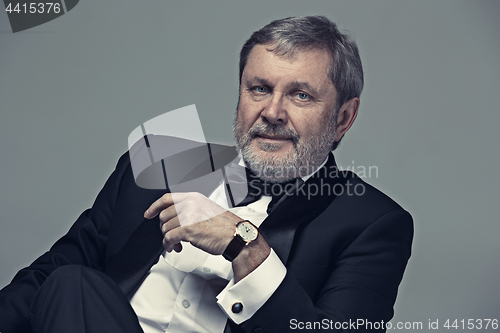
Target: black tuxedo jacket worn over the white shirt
column 345, row 253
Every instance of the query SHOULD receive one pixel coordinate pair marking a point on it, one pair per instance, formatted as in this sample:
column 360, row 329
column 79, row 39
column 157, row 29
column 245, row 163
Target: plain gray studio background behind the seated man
column 73, row 89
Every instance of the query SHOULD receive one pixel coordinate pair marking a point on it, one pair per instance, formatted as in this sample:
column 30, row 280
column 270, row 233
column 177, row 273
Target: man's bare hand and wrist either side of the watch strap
column 192, row 217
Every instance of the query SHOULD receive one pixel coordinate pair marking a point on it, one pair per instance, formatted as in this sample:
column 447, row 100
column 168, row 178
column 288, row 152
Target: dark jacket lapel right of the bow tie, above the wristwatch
column 301, row 208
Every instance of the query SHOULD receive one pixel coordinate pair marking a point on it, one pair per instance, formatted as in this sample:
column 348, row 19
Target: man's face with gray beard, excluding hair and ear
column 285, row 123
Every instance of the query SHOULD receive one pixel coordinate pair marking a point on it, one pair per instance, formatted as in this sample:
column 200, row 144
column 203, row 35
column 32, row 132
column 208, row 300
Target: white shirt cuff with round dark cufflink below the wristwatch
column 253, row 290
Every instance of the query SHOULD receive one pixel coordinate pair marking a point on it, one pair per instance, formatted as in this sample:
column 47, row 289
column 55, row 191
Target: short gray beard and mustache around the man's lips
column 304, row 159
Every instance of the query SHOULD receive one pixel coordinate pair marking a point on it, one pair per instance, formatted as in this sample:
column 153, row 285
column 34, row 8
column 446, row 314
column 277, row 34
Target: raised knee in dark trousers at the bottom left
column 79, row 299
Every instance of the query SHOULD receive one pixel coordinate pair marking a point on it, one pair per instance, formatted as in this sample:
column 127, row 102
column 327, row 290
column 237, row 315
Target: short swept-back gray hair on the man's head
column 293, row 34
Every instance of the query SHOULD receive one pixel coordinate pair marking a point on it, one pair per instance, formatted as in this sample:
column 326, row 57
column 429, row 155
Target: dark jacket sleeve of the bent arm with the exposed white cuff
column 359, row 287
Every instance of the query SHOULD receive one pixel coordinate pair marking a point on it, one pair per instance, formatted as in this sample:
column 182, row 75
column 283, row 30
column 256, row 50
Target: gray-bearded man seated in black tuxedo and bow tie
column 326, row 252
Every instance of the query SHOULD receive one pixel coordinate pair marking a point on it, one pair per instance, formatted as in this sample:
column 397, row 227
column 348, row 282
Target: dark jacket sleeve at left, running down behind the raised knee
column 84, row 244
